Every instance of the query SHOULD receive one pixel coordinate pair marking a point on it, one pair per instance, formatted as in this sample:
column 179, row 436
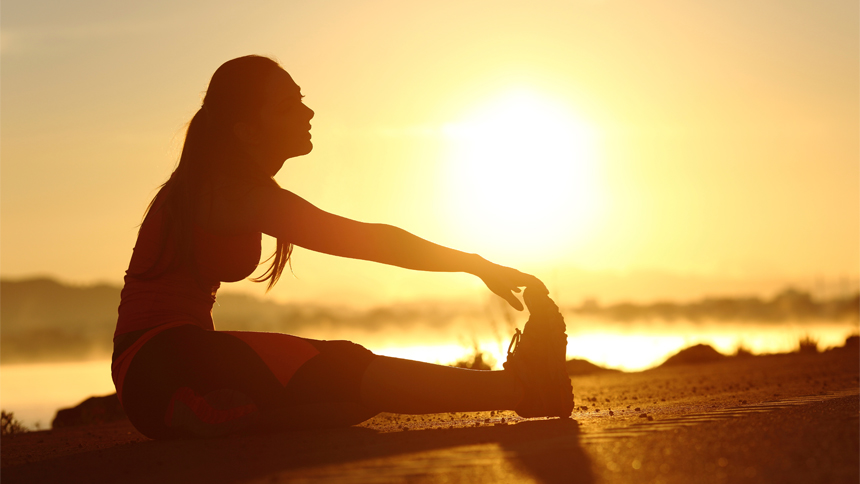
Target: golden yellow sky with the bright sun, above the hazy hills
column 617, row 149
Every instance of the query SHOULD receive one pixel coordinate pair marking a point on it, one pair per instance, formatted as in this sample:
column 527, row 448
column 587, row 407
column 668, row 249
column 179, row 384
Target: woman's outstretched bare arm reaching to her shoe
column 283, row 214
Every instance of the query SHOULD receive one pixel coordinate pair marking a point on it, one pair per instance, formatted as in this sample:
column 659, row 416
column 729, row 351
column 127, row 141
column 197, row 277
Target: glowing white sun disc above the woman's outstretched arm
column 522, row 176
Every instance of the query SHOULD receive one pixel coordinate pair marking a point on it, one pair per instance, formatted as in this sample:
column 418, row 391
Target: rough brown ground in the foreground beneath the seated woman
column 780, row 418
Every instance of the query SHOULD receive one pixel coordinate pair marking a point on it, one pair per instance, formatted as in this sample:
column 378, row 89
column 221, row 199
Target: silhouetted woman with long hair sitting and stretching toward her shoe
column 176, row 376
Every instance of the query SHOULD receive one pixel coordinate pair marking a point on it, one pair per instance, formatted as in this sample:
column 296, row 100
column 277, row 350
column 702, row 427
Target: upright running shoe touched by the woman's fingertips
column 537, row 357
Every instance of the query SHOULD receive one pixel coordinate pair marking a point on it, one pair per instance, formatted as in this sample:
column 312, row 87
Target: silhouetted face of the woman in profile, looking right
column 283, row 130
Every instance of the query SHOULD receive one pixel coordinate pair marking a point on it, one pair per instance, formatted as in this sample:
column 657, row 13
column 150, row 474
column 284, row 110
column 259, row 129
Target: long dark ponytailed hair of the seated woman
column 236, row 93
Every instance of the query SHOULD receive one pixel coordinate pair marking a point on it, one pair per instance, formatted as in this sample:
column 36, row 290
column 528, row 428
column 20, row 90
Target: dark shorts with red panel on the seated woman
column 188, row 381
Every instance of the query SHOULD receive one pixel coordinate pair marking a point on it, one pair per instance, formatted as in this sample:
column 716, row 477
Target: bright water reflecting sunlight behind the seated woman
column 34, row 392
